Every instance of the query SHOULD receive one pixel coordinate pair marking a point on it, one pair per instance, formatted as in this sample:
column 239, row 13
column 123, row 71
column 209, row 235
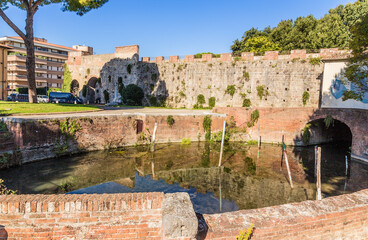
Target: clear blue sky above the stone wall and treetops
column 165, row 27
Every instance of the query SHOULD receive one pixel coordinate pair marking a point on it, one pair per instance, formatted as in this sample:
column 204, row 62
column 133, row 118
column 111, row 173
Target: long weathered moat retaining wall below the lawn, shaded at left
column 42, row 138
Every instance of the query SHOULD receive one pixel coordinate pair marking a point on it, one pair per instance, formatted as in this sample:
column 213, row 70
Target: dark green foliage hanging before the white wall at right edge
column 357, row 68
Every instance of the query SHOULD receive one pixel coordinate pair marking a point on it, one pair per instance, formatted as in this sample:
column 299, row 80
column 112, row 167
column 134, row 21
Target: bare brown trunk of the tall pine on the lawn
column 31, row 61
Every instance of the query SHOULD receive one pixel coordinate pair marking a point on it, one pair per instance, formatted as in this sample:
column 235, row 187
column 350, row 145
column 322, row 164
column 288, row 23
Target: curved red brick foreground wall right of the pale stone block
column 341, row 217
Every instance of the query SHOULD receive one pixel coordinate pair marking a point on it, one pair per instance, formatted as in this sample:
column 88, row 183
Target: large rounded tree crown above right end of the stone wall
column 330, row 32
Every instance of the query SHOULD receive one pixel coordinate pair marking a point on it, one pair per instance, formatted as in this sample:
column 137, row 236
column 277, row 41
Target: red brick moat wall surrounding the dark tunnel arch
column 276, row 122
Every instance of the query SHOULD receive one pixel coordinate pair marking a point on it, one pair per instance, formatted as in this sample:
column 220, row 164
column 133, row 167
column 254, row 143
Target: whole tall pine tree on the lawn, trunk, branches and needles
column 31, row 7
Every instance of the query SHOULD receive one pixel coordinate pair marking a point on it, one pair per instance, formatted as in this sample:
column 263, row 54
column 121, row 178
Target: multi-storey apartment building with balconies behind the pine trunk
column 50, row 60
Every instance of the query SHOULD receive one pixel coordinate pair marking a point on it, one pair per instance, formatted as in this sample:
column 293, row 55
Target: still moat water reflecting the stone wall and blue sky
column 249, row 178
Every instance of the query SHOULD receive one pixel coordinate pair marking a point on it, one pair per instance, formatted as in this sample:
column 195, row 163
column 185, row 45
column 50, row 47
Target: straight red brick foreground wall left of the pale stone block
column 107, row 216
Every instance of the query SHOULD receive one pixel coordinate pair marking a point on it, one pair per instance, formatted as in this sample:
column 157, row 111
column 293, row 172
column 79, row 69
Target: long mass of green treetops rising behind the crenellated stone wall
column 332, row 30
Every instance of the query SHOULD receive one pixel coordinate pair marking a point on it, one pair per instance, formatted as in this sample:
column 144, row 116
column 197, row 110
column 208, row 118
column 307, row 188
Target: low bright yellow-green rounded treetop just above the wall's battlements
column 259, row 45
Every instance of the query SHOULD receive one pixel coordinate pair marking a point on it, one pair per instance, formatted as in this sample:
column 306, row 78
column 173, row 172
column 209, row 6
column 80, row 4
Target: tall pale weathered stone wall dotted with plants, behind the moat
column 282, row 82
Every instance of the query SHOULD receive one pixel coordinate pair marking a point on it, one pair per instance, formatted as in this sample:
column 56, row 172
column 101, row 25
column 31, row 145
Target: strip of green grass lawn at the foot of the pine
column 14, row 108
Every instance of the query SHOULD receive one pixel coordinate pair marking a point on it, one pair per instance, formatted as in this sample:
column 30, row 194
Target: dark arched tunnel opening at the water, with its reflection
column 335, row 139
